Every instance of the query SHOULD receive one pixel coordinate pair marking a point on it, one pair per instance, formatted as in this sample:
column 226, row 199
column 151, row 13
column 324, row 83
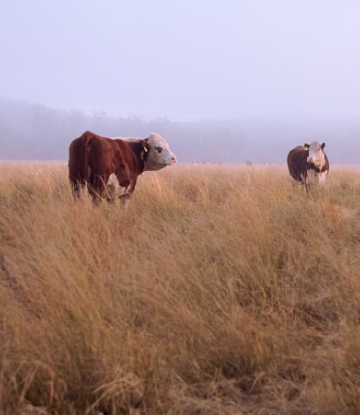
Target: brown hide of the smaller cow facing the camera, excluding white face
column 298, row 165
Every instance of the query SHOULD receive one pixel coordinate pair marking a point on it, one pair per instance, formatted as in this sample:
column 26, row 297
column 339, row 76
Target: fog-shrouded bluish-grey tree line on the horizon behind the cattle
column 36, row 132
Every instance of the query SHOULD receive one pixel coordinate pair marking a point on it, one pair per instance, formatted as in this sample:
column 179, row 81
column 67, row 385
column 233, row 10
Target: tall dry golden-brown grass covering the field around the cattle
column 220, row 290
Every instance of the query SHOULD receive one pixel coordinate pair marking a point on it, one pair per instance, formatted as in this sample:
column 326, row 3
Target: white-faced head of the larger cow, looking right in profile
column 158, row 154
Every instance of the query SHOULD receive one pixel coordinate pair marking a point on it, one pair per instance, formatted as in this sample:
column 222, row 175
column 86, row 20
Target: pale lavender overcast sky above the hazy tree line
column 185, row 59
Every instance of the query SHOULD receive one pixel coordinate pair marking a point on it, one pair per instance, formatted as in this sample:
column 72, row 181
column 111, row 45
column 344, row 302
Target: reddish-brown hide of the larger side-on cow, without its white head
column 104, row 156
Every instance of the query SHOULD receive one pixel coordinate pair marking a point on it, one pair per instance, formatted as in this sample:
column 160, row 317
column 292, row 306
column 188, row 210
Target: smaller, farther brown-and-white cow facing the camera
column 308, row 164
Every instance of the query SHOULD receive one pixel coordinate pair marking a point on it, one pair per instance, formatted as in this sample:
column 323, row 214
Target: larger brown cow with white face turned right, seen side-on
column 109, row 168
